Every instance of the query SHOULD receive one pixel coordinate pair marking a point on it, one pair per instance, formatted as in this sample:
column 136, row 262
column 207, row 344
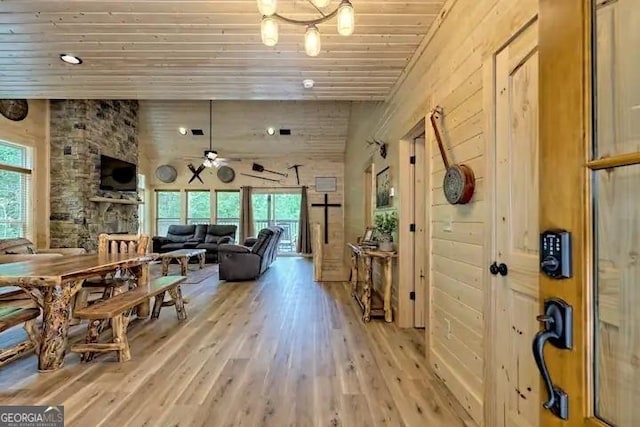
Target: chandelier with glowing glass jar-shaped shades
column 269, row 25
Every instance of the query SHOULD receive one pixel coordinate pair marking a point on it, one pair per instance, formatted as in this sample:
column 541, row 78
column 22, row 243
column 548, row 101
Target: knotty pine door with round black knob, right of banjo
column 515, row 271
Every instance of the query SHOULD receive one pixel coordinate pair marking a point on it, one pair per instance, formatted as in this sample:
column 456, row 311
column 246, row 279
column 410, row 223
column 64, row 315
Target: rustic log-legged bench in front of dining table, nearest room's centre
column 118, row 309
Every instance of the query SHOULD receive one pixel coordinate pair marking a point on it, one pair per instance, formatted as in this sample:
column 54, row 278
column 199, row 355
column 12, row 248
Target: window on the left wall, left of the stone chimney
column 15, row 190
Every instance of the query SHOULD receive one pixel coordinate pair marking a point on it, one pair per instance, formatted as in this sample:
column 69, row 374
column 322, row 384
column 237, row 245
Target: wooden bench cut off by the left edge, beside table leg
column 11, row 316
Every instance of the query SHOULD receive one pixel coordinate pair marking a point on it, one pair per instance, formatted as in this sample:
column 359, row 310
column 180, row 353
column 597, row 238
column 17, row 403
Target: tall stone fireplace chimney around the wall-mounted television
column 82, row 130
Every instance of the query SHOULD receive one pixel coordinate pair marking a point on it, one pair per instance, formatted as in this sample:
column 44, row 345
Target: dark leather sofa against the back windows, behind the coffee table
column 200, row 236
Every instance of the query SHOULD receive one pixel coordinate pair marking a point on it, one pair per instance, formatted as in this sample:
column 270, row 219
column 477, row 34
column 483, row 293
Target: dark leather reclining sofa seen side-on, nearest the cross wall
column 250, row 260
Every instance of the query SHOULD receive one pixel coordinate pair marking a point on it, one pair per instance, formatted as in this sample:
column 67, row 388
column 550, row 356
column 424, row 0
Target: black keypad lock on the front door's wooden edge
column 555, row 253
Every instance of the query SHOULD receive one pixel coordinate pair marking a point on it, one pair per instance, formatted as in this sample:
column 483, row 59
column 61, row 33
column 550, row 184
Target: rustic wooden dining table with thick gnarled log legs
column 53, row 283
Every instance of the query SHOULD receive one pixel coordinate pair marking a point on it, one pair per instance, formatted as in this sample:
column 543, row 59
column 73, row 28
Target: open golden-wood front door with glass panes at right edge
column 590, row 143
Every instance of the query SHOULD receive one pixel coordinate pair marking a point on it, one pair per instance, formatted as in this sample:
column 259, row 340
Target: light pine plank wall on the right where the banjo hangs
column 449, row 67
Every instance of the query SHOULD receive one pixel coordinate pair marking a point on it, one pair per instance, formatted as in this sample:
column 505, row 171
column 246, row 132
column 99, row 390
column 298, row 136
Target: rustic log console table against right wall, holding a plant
column 370, row 300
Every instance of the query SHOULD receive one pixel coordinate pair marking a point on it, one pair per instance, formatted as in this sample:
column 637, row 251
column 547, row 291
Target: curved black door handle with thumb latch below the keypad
column 557, row 330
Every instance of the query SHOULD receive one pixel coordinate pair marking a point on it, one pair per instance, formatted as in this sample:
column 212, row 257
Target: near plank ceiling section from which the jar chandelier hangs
column 162, row 49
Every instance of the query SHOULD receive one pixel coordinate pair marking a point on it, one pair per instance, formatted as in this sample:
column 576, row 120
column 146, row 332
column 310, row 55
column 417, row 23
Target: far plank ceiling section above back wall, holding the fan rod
column 239, row 128
